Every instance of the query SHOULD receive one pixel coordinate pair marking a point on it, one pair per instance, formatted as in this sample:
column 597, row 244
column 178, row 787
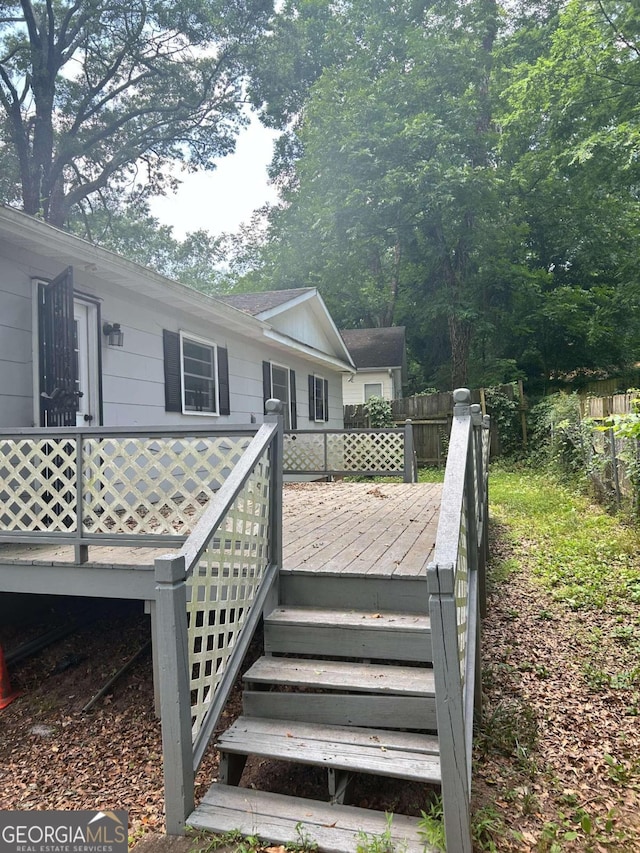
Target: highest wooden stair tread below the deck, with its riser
column 375, row 635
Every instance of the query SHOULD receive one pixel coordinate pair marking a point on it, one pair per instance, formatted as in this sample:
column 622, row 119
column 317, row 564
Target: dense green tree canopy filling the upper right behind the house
column 466, row 170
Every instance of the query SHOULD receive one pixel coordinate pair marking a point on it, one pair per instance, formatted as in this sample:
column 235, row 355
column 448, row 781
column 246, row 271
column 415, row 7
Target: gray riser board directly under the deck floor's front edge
column 371, row 592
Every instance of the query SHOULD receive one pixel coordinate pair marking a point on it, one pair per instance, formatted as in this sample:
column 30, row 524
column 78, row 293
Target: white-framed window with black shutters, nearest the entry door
column 196, row 373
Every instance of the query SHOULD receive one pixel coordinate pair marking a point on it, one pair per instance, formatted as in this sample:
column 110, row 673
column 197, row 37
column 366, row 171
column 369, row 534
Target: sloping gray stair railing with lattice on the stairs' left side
column 209, row 599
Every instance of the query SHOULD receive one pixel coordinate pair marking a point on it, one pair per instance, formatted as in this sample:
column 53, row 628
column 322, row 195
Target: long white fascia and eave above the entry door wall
column 105, row 267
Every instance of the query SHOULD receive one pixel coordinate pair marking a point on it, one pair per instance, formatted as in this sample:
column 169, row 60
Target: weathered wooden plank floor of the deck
column 352, row 529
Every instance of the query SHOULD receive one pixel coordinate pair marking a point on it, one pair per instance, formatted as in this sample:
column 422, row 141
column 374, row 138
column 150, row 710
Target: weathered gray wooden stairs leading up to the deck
column 345, row 683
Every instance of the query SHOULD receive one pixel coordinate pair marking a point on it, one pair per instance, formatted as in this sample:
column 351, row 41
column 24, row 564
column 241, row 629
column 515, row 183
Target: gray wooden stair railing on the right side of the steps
column 456, row 584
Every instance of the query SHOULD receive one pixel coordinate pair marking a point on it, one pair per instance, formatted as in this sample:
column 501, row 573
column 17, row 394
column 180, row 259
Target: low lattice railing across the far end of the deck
column 367, row 452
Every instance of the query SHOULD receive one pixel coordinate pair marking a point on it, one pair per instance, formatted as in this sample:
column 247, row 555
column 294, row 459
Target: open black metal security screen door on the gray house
column 58, row 359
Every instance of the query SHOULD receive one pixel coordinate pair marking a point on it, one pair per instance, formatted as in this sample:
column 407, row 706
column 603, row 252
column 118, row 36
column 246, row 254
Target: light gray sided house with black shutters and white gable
column 87, row 337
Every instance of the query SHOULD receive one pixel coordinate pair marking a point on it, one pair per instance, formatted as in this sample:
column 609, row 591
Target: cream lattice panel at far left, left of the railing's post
column 38, row 485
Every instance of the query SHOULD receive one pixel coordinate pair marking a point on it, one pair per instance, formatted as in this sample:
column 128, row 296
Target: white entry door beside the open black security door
column 86, row 357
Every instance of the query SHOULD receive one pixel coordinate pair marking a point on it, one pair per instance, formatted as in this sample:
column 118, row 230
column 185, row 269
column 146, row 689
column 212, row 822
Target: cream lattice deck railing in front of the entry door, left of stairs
column 111, row 486
